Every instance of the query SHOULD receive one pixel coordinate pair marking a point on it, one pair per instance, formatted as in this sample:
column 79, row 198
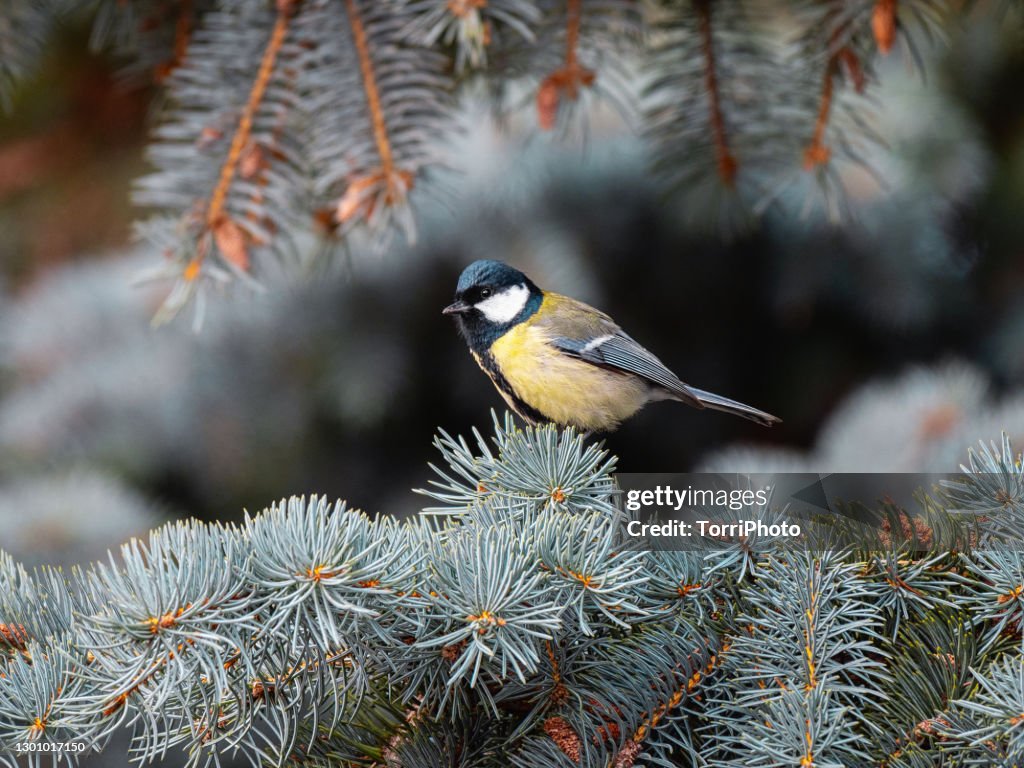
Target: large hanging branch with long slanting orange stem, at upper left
column 249, row 189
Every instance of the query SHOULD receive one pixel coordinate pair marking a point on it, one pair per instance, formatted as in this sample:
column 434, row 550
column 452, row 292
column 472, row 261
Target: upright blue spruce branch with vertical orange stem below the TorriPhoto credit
column 801, row 671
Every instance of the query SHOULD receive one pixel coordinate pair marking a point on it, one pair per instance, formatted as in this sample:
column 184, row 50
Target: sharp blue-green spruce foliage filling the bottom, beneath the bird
column 515, row 624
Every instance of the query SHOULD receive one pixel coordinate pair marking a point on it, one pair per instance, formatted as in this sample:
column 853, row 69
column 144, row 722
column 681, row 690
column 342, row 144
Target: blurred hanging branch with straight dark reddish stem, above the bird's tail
column 711, row 109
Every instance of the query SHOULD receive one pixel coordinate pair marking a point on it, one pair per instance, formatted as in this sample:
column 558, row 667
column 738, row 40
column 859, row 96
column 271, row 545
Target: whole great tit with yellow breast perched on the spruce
column 557, row 360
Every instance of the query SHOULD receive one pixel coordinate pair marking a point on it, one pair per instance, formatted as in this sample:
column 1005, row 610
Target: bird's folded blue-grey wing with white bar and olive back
column 583, row 332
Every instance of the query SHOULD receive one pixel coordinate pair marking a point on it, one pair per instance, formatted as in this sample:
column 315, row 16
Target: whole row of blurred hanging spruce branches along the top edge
column 293, row 123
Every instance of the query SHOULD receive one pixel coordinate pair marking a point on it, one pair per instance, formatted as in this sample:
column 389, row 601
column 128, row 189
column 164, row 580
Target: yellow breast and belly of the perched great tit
column 566, row 391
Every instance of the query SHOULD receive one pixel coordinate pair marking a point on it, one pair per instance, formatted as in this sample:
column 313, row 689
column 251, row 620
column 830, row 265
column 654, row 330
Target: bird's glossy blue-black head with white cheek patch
column 491, row 298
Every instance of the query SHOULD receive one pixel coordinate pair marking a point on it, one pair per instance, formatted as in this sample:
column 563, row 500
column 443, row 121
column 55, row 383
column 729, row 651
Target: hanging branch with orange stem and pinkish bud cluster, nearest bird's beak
column 379, row 106
